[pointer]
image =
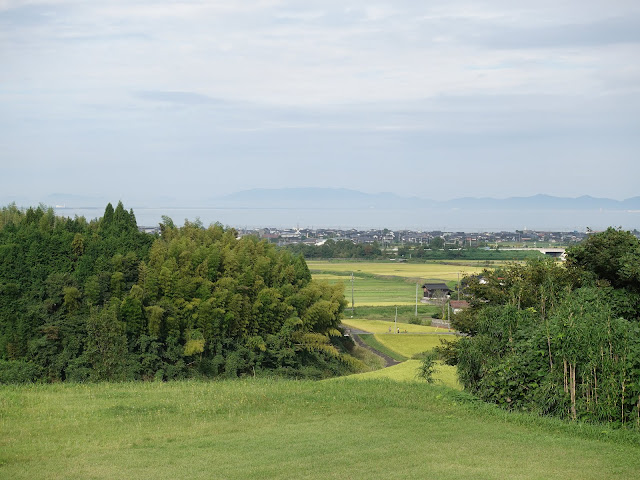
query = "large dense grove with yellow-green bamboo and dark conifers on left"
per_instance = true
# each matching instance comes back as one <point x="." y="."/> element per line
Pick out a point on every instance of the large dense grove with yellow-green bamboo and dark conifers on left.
<point x="99" y="300"/>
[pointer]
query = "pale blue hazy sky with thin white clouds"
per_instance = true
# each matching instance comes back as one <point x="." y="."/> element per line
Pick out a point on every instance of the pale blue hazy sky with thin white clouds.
<point x="135" y="100"/>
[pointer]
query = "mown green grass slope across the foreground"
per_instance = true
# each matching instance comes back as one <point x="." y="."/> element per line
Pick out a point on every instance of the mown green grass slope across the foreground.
<point x="276" y="429"/>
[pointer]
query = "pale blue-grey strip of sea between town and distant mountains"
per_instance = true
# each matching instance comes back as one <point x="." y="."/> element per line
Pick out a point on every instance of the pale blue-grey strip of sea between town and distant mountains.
<point x="416" y="219"/>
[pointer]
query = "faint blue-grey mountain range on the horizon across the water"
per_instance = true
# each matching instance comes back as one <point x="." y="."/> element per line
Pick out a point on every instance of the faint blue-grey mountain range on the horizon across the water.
<point x="344" y="198"/>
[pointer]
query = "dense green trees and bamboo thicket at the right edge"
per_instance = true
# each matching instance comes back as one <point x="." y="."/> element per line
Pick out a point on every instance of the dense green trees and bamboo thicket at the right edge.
<point x="561" y="340"/>
